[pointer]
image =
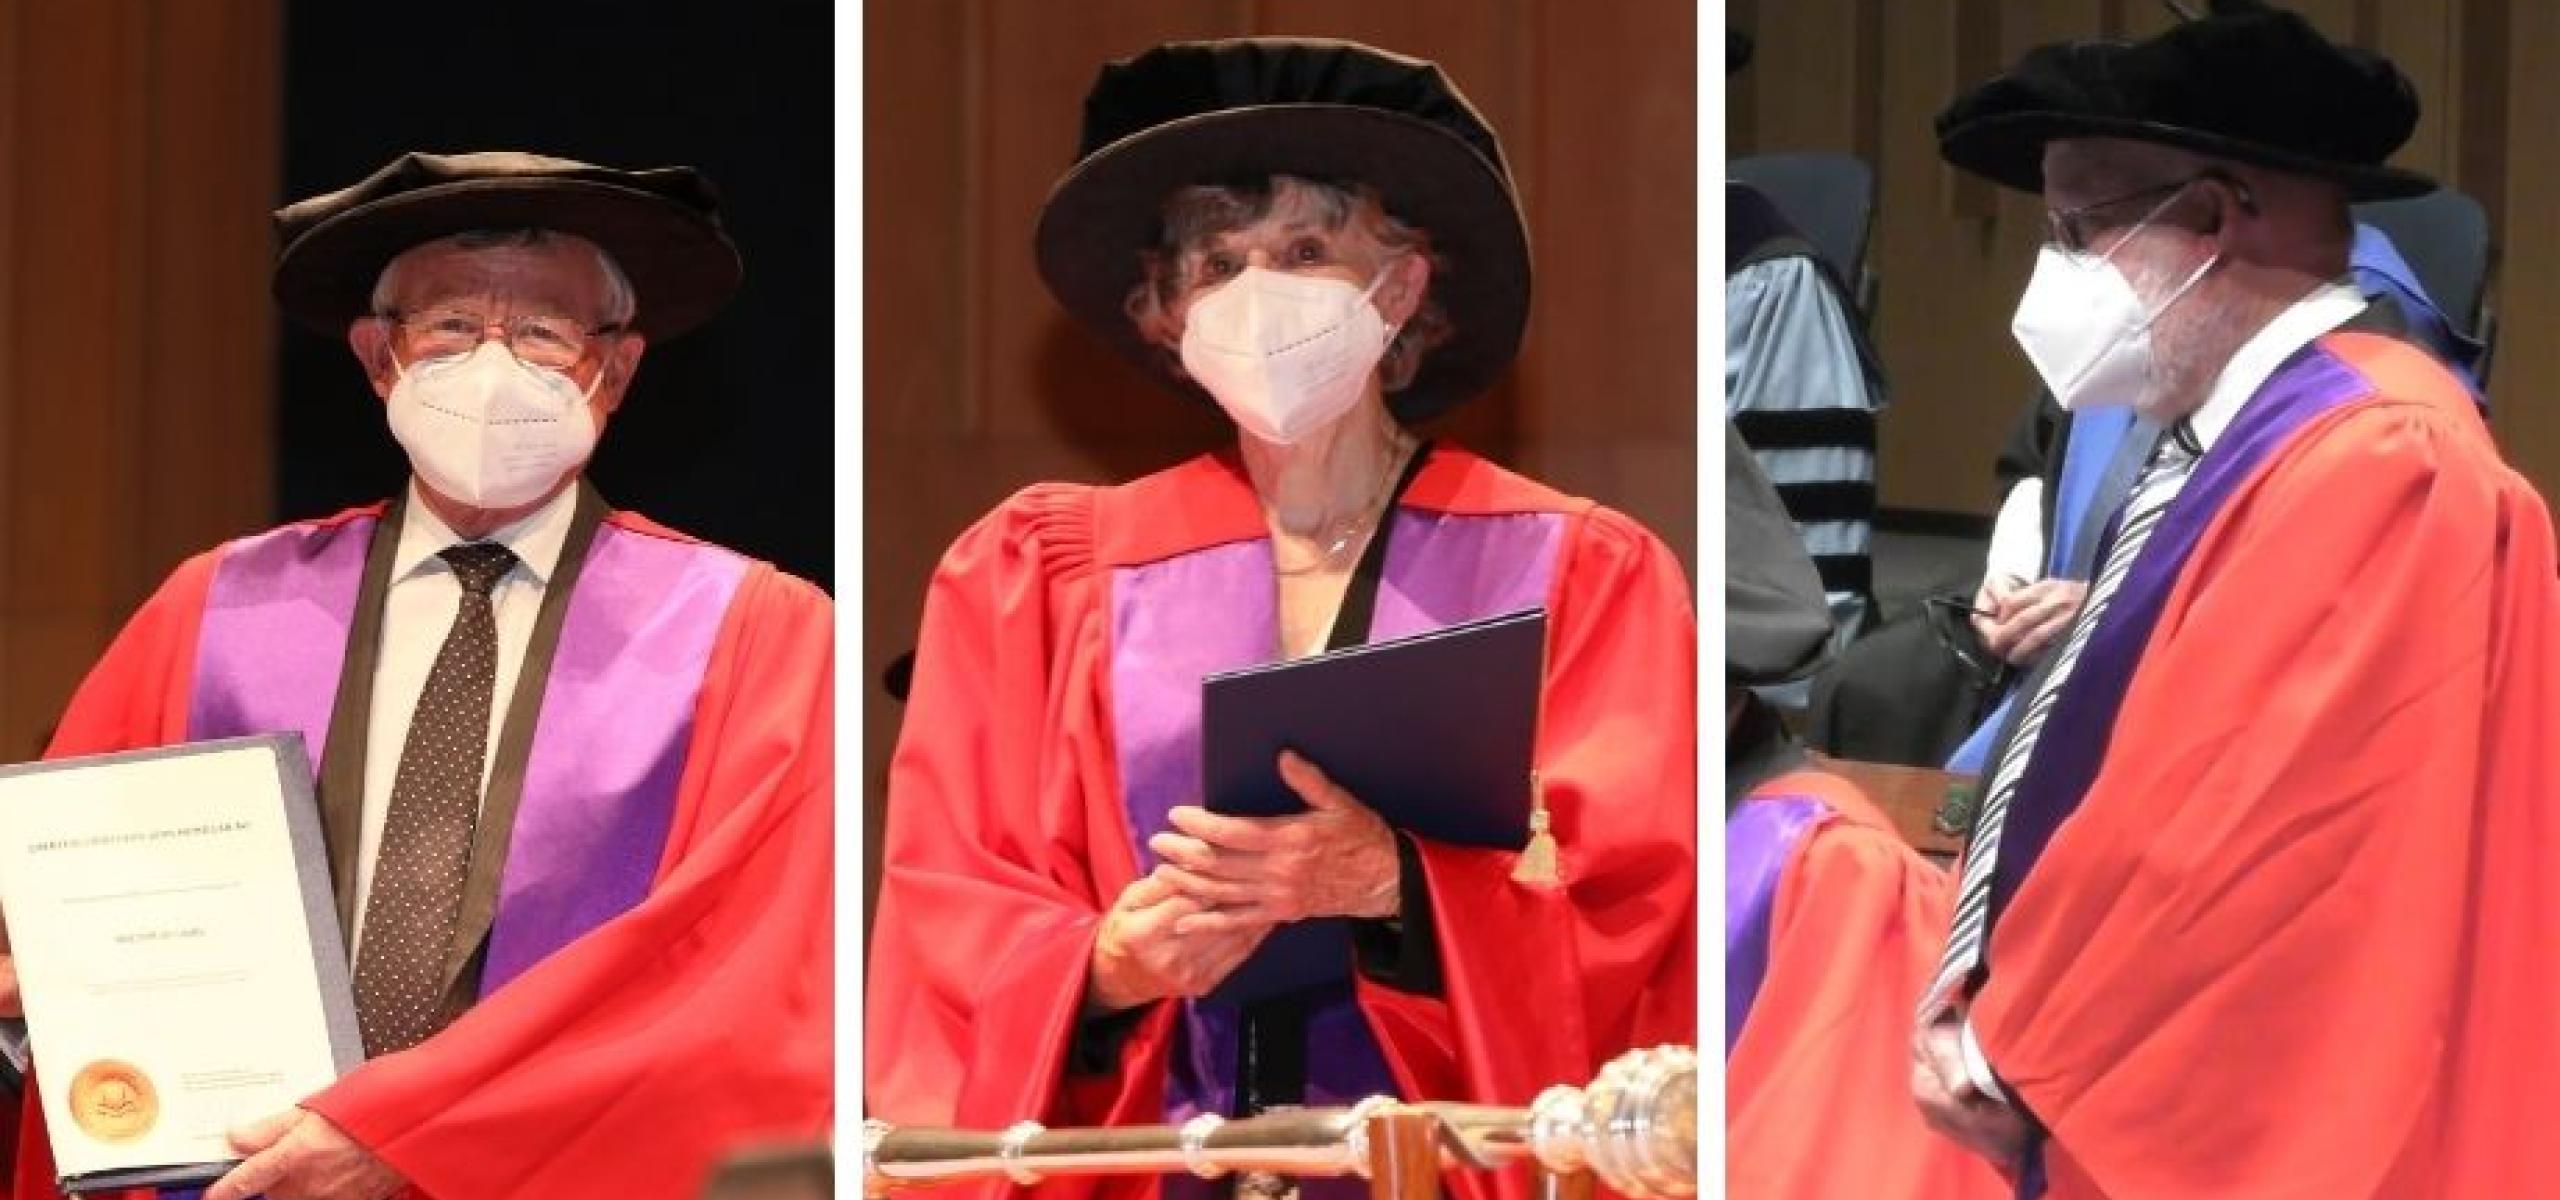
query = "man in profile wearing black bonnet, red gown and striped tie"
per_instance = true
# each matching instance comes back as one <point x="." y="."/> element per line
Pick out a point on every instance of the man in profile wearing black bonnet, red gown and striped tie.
<point x="2262" y="897"/>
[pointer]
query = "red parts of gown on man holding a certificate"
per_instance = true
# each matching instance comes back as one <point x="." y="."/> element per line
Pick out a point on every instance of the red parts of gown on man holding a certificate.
<point x="631" y="1063"/>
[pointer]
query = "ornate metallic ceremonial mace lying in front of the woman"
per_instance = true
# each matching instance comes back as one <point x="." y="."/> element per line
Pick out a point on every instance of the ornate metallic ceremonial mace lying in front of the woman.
<point x="1635" y="1127"/>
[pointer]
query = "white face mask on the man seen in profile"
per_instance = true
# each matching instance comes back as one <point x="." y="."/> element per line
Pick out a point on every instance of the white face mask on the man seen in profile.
<point x="2088" y="334"/>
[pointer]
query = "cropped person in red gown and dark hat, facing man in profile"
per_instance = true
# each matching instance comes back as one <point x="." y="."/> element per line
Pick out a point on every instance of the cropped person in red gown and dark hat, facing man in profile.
<point x="1832" y="920"/>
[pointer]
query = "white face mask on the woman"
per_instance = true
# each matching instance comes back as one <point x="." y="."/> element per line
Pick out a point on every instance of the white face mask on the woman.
<point x="1284" y="354"/>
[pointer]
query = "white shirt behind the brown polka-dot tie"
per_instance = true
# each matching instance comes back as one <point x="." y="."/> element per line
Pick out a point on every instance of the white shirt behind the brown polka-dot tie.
<point x="416" y="615"/>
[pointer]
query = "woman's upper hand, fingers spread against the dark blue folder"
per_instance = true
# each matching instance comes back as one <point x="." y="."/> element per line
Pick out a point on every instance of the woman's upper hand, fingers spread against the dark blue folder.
<point x="1253" y="871"/>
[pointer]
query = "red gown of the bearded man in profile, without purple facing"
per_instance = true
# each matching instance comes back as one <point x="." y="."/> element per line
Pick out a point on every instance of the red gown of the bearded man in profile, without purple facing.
<point x="2303" y="935"/>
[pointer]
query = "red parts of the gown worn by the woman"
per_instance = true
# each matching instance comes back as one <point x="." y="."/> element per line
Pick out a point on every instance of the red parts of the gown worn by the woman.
<point x="1007" y="833"/>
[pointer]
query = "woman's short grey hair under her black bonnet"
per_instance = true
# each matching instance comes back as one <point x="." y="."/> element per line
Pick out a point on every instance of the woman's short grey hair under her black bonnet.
<point x="1199" y="214"/>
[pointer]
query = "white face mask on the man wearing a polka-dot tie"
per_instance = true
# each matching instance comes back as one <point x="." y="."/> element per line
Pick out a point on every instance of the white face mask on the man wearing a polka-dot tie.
<point x="490" y="431"/>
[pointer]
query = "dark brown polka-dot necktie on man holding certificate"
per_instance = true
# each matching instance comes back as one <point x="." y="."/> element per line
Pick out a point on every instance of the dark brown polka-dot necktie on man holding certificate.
<point x="426" y="838"/>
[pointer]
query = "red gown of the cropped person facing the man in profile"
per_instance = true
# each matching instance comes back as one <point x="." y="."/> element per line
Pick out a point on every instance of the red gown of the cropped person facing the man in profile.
<point x="1819" y="1099"/>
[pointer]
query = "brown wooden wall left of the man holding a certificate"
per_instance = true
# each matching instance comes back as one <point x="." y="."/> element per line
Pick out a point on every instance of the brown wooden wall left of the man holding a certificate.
<point x="137" y="170"/>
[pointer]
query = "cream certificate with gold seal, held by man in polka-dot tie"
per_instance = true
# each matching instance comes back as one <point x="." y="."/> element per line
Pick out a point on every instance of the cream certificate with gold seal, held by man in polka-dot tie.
<point x="178" y="948"/>
